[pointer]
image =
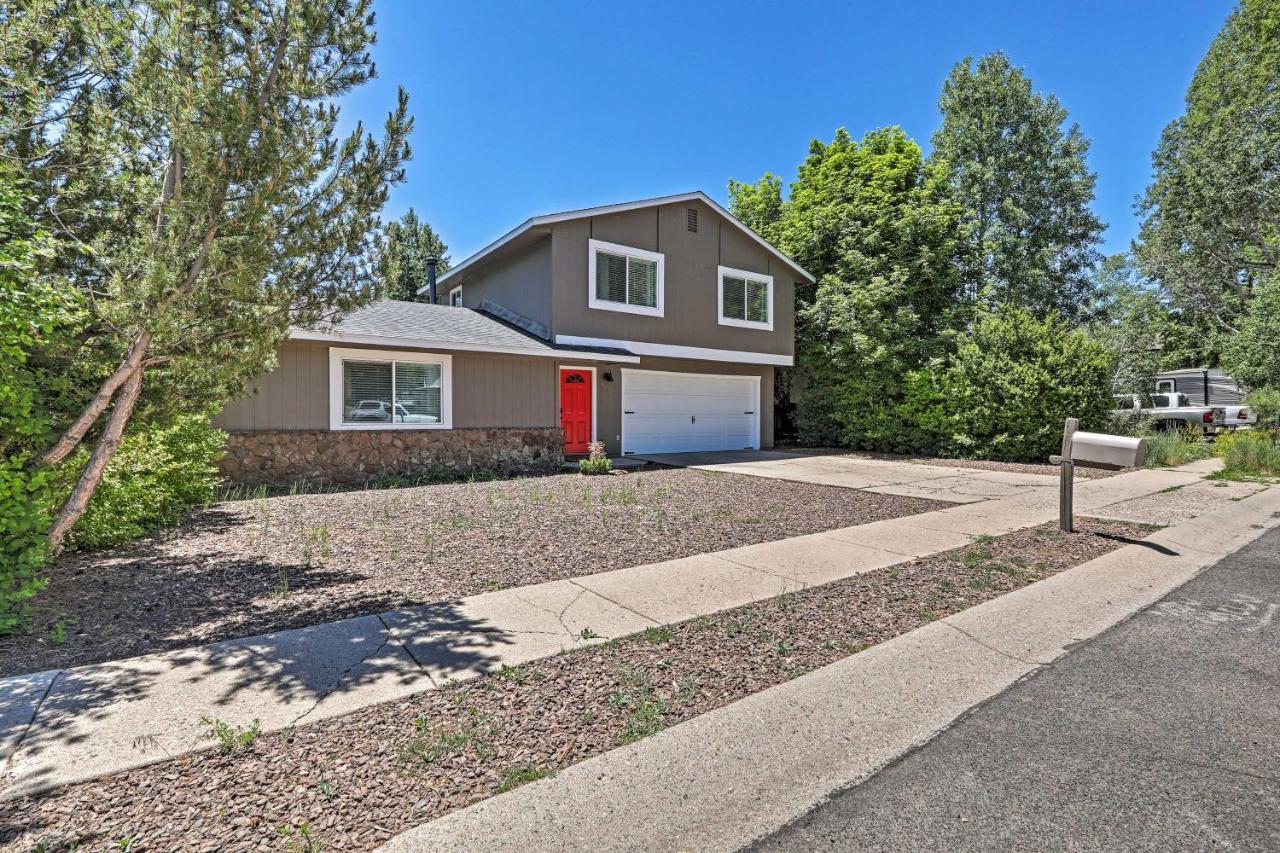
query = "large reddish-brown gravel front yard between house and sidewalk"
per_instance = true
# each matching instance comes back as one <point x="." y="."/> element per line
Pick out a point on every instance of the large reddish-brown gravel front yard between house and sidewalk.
<point x="253" y="567"/>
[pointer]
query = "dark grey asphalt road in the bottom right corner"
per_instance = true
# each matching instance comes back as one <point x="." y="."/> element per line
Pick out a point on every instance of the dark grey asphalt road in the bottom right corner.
<point x="1160" y="735"/>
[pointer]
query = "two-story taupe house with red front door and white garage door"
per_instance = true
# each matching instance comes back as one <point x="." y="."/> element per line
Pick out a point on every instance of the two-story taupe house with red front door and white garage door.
<point x="653" y="326"/>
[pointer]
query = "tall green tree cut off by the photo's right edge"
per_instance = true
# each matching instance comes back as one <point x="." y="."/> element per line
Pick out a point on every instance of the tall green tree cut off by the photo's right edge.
<point x="1213" y="212"/>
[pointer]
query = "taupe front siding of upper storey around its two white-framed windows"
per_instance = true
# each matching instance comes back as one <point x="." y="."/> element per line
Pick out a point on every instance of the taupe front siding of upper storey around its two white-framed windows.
<point x="691" y="316"/>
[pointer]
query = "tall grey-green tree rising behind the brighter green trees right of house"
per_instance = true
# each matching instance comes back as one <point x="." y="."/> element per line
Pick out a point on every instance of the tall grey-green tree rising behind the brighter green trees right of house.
<point x="1021" y="175"/>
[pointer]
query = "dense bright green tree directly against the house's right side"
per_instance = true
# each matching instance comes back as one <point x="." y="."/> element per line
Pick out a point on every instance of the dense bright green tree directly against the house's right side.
<point x="874" y="222"/>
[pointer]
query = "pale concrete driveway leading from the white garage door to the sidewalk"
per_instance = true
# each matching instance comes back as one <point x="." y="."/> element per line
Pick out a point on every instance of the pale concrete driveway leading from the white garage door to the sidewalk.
<point x="888" y="477"/>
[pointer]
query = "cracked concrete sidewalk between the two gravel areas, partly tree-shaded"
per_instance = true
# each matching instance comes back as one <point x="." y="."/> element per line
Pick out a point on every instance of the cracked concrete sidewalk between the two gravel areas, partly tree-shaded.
<point x="62" y="727"/>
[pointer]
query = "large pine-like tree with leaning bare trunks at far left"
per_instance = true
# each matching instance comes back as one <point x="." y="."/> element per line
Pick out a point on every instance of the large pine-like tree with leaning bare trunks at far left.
<point x="186" y="153"/>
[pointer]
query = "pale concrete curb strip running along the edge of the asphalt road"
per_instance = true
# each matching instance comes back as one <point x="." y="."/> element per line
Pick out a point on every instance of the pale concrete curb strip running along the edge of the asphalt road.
<point x="730" y="777"/>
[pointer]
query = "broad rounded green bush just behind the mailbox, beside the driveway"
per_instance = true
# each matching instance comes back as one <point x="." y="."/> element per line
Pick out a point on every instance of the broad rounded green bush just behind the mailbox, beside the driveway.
<point x="1008" y="390"/>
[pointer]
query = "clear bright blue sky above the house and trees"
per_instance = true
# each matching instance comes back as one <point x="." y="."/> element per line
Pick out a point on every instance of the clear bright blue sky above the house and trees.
<point x="528" y="108"/>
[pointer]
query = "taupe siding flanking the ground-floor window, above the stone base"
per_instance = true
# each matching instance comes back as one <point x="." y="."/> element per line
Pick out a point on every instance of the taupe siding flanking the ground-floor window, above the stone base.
<point x="488" y="391"/>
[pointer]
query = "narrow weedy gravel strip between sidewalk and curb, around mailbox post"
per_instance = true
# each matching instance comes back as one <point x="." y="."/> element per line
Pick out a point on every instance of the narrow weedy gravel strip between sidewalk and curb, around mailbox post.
<point x="353" y="782"/>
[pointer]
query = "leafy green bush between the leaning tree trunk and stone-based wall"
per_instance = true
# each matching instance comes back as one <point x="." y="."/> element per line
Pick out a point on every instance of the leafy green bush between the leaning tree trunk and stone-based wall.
<point x="159" y="472"/>
